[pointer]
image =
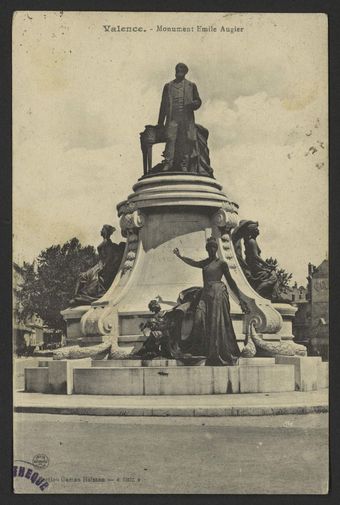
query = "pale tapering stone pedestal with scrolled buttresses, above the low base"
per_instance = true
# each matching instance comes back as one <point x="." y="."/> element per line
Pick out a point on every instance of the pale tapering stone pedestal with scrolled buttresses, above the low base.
<point x="164" y="212"/>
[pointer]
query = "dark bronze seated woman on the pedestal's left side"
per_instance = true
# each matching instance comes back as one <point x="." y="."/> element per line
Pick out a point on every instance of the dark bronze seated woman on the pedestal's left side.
<point x="94" y="283"/>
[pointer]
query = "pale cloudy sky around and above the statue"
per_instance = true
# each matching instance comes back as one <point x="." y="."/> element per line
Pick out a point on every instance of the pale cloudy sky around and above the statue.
<point x="82" y="95"/>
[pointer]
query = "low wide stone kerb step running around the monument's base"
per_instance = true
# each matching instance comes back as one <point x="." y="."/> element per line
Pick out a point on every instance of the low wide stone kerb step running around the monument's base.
<point x="249" y="404"/>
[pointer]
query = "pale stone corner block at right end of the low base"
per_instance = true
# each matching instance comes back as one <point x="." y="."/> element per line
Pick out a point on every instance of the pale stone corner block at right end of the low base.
<point x="305" y="370"/>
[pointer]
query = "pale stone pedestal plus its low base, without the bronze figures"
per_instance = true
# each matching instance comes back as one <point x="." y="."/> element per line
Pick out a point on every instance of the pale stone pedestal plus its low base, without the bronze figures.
<point x="164" y="212"/>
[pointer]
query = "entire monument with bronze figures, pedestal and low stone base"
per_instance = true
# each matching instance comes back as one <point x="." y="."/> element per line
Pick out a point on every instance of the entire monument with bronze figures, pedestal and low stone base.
<point x="121" y="343"/>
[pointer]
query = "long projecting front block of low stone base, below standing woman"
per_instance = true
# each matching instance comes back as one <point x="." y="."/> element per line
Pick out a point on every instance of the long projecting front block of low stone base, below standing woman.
<point x="184" y="380"/>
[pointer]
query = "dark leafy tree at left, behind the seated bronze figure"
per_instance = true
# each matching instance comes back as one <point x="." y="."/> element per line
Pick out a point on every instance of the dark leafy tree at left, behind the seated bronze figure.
<point x="45" y="286"/>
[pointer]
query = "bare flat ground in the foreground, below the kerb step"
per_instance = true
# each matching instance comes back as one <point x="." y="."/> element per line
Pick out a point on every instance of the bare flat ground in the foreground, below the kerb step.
<point x="271" y="454"/>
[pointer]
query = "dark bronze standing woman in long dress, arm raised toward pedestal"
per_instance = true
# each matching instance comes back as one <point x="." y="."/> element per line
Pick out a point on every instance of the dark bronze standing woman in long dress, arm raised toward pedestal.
<point x="213" y="334"/>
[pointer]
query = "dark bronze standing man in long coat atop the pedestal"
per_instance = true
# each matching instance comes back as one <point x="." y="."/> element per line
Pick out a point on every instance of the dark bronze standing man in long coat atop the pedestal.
<point x="179" y="101"/>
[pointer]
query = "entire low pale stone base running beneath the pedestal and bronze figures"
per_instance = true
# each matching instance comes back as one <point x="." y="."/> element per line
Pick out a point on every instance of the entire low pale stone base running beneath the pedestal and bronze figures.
<point x="166" y="377"/>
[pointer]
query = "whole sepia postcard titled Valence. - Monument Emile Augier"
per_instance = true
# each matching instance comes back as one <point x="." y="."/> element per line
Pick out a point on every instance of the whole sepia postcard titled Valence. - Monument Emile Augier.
<point x="170" y="189"/>
